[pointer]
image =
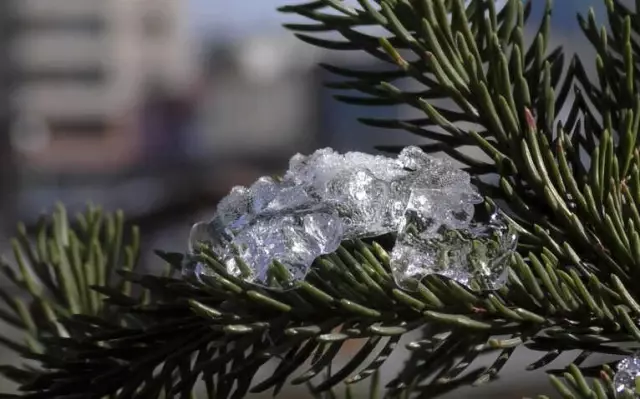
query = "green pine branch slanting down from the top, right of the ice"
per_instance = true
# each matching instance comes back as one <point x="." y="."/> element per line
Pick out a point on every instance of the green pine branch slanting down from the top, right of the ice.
<point x="496" y="84"/>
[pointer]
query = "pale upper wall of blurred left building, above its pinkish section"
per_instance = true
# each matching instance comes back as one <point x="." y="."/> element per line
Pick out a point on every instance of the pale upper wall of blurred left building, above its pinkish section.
<point x="129" y="56"/>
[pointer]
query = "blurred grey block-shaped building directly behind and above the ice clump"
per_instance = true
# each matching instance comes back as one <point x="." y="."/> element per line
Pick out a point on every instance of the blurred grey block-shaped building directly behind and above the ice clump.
<point x="258" y="99"/>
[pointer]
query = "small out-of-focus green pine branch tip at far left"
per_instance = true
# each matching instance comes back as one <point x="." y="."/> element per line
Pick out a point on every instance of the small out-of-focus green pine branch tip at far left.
<point x="54" y="276"/>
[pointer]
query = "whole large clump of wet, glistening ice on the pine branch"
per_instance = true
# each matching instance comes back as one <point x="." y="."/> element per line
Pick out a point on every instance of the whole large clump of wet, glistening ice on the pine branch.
<point x="327" y="197"/>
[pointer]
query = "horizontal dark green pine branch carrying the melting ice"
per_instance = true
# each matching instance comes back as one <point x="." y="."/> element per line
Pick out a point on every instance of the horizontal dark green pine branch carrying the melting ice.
<point x="223" y="330"/>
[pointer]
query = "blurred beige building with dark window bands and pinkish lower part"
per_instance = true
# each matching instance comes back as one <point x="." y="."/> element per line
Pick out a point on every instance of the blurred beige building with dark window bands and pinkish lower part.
<point x="81" y="71"/>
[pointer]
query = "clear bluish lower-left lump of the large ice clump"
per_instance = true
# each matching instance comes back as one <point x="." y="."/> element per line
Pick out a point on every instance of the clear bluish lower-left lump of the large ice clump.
<point x="295" y="238"/>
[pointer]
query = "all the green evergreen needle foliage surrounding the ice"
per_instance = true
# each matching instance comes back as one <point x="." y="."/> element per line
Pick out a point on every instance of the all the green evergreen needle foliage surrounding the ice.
<point x="95" y="328"/>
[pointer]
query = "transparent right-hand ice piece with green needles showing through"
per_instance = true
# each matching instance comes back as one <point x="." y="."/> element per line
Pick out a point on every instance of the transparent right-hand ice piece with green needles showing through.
<point x="477" y="252"/>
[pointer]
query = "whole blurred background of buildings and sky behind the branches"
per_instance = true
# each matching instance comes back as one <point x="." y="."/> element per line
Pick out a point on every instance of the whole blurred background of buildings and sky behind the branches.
<point x="158" y="107"/>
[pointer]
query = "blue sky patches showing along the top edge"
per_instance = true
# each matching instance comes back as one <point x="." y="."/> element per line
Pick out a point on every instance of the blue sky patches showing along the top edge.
<point x="237" y="17"/>
